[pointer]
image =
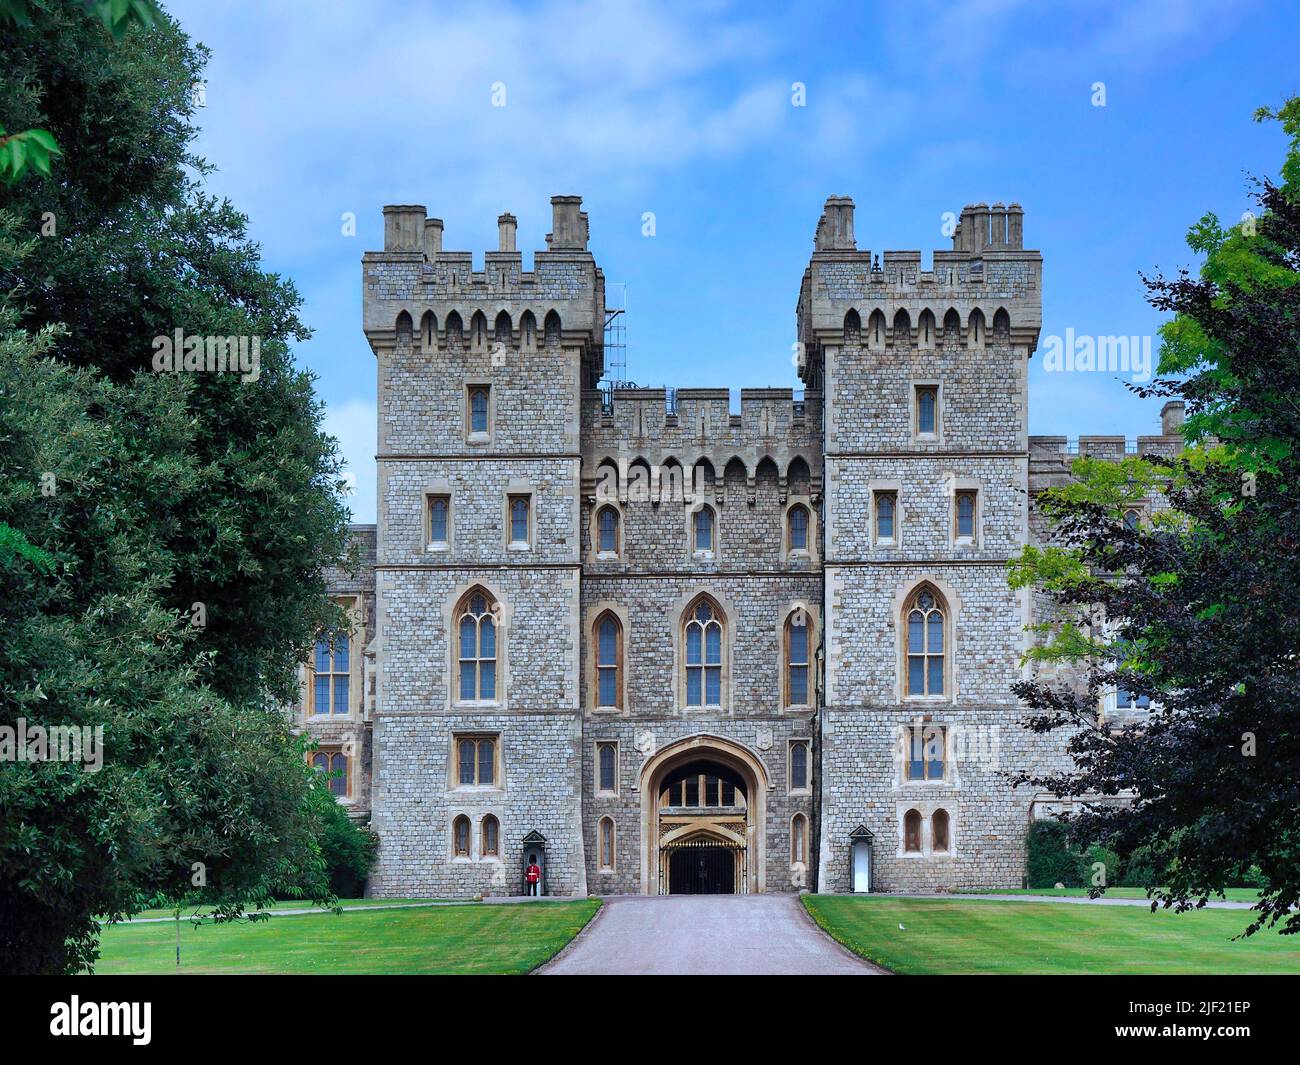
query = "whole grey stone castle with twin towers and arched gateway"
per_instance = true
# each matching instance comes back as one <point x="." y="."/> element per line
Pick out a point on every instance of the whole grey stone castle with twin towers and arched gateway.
<point x="664" y="648"/>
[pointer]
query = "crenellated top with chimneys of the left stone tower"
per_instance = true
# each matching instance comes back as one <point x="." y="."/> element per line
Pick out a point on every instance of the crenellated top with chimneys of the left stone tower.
<point x="418" y="289"/>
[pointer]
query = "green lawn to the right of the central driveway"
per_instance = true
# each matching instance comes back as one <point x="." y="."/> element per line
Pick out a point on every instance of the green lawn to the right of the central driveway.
<point x="952" y="936"/>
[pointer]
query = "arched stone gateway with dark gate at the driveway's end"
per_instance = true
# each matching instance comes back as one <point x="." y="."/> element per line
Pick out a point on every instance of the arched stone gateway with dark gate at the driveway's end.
<point x="704" y="806"/>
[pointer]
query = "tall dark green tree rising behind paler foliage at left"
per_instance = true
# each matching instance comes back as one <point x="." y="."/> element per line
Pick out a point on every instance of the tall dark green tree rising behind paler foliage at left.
<point x="138" y="252"/>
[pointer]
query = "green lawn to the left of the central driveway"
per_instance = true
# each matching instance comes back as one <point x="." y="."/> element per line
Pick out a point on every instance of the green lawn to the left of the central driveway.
<point x="467" y="940"/>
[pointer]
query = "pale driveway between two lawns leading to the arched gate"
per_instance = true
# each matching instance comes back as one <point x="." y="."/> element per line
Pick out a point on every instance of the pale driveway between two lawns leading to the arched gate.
<point x="705" y="934"/>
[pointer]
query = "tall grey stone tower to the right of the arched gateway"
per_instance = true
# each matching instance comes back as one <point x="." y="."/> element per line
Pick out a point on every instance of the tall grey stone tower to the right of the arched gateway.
<point x="925" y="376"/>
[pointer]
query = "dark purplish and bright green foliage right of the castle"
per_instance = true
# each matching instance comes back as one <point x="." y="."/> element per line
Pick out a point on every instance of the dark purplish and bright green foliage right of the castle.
<point x="1197" y="611"/>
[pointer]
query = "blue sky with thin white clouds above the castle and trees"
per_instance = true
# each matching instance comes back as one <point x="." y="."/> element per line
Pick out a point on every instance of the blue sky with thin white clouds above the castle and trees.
<point x="315" y="110"/>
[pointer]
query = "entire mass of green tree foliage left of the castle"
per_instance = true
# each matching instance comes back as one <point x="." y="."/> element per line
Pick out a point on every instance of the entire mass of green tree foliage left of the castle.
<point x="163" y="536"/>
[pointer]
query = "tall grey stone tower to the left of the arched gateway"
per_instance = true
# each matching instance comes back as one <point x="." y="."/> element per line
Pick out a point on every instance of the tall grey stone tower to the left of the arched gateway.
<point x="478" y="722"/>
